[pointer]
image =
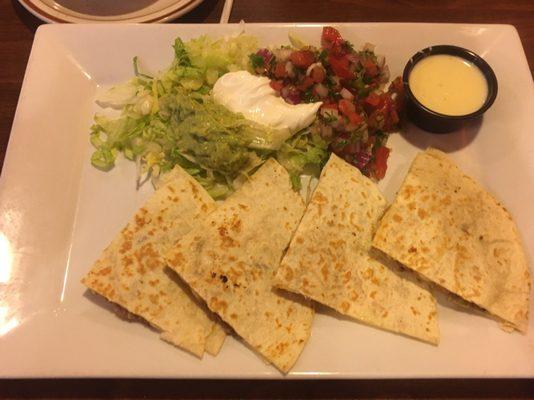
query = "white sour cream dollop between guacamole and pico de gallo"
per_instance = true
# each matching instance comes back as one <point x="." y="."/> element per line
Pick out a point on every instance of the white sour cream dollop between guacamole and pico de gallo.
<point x="250" y="95"/>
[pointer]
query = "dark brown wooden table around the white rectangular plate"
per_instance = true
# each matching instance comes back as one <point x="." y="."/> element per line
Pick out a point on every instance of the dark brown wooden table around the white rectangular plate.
<point x="17" y="28"/>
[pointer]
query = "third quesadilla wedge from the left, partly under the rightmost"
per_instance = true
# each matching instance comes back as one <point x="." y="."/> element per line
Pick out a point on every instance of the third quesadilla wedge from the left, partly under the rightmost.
<point x="330" y="258"/>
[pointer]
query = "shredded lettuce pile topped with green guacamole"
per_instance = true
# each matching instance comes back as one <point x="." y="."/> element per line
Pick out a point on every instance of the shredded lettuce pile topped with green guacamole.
<point x="171" y="119"/>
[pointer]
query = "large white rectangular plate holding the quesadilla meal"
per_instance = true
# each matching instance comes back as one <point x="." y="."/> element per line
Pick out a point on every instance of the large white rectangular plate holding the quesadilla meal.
<point x="57" y="213"/>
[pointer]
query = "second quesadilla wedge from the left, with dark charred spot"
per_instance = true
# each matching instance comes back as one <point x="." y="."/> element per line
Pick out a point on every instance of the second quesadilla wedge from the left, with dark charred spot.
<point x="230" y="261"/>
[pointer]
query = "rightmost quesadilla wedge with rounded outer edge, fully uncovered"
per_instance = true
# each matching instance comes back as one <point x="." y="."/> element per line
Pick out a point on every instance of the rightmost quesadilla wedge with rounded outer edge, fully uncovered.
<point x="450" y="230"/>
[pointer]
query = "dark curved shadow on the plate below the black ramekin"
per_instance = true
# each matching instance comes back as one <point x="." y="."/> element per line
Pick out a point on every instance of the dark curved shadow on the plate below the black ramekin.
<point x="447" y="142"/>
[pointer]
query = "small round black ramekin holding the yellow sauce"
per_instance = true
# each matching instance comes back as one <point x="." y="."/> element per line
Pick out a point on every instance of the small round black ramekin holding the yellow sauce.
<point x="440" y="123"/>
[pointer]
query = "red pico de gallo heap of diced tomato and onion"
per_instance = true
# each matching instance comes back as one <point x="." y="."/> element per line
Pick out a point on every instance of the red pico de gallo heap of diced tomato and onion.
<point x="357" y="113"/>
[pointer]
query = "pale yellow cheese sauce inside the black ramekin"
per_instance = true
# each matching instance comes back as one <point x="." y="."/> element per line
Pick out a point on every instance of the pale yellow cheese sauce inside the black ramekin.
<point x="448" y="84"/>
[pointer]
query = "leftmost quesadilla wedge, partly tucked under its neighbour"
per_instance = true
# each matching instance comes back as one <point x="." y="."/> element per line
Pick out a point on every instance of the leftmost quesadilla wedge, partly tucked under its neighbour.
<point x="131" y="271"/>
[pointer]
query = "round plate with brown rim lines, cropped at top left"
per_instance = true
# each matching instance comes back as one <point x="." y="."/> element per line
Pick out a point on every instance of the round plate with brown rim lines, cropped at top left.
<point x="87" y="11"/>
